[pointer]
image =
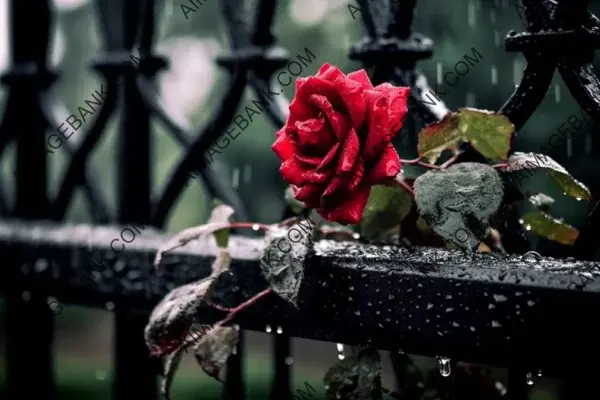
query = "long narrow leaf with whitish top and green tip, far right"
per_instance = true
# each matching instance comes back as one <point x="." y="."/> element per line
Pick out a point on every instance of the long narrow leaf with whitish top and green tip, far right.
<point x="532" y="161"/>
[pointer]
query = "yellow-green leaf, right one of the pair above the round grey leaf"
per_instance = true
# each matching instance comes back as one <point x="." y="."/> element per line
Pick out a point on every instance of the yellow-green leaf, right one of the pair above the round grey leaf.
<point x="489" y="133"/>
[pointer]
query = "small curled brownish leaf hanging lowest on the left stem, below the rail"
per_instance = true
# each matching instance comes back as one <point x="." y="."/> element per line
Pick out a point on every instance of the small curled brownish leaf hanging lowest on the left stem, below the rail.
<point x="215" y="348"/>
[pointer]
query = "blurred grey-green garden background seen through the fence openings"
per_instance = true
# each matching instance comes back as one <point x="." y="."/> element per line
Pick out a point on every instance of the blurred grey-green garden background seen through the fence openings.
<point x="190" y="88"/>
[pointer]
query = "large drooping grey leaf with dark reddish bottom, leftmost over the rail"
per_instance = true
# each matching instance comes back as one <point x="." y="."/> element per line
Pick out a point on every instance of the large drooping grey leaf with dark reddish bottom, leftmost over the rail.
<point x="172" y="317"/>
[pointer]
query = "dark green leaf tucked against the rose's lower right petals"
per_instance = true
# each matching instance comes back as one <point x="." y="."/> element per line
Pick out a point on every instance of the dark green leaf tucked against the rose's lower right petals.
<point x="386" y="208"/>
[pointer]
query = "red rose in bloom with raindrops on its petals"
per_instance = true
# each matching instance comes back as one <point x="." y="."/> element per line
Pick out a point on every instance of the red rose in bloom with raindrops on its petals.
<point x="335" y="144"/>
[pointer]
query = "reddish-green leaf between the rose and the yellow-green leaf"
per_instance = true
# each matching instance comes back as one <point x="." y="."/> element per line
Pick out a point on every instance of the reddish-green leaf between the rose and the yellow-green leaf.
<point x="439" y="136"/>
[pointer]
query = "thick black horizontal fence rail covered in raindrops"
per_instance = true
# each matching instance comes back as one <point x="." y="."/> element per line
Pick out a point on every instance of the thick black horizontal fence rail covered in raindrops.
<point x="524" y="311"/>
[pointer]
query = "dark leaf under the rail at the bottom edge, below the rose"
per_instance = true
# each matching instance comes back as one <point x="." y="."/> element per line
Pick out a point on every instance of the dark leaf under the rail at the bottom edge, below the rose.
<point x="355" y="378"/>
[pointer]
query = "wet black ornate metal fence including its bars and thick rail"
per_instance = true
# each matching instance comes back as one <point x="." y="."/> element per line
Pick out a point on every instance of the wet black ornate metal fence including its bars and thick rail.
<point x="548" y="306"/>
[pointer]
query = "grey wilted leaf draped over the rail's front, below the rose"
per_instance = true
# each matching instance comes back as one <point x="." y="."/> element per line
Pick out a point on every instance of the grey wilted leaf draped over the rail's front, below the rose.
<point x="282" y="263"/>
